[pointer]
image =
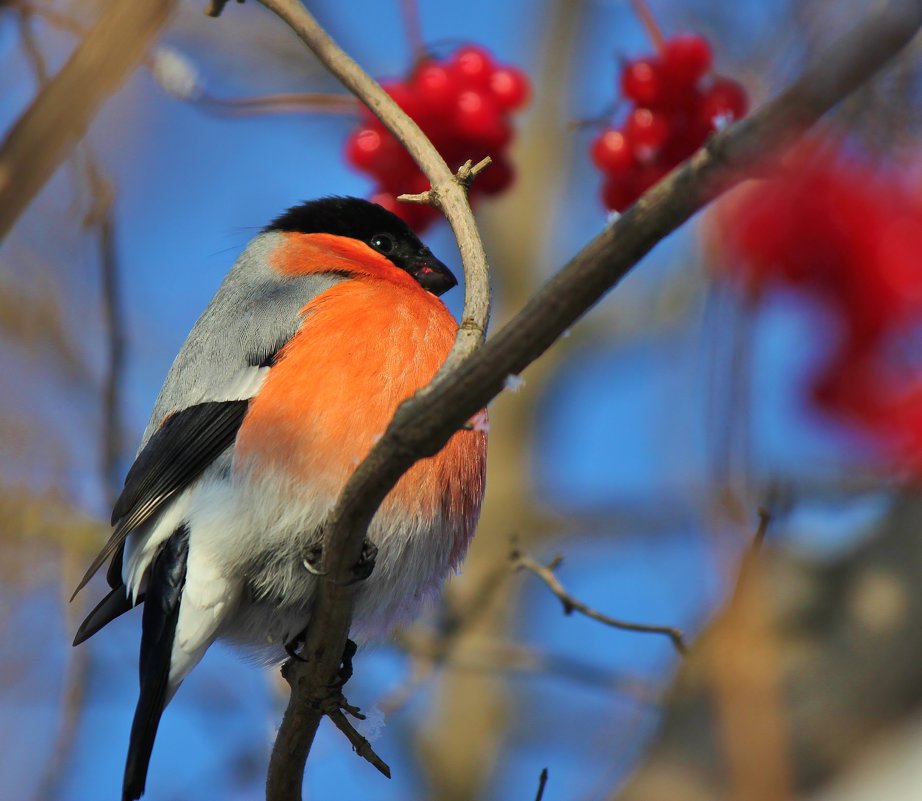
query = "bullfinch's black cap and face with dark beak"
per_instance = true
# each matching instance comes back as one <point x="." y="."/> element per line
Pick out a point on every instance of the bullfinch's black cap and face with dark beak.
<point x="374" y="225"/>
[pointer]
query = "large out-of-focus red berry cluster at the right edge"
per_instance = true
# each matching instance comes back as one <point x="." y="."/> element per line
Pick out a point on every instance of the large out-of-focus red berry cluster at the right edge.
<point x="851" y="236"/>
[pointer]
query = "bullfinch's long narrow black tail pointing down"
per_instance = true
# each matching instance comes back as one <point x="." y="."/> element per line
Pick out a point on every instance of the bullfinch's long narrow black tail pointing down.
<point x="165" y="583"/>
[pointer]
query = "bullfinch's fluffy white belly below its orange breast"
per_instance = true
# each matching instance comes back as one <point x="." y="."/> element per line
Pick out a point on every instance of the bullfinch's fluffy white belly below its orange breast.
<point x="249" y="542"/>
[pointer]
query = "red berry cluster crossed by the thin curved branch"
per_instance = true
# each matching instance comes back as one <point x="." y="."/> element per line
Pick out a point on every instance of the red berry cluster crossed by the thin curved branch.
<point x="463" y="104"/>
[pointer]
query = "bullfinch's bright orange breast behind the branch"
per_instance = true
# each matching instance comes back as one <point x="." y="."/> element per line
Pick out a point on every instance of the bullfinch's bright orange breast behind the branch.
<point x="365" y="346"/>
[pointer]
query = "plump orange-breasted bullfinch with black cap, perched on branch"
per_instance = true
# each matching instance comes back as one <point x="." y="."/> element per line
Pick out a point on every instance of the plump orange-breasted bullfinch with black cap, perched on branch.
<point x="327" y="321"/>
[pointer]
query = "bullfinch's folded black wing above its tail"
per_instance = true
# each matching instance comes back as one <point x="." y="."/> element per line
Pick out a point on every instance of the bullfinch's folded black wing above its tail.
<point x="179" y="451"/>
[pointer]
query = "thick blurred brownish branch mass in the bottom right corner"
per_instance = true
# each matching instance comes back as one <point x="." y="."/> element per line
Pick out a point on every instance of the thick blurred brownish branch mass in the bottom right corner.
<point x="845" y="659"/>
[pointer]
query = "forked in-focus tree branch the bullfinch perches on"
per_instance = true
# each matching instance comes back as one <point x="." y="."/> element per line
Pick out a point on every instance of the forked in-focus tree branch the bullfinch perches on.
<point x="423" y="424"/>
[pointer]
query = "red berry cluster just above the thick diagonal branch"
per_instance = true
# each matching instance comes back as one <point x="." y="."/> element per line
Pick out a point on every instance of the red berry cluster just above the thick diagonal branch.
<point x="675" y="106"/>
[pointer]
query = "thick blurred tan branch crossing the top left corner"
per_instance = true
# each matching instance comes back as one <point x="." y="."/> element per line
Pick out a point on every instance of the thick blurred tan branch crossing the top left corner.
<point x="61" y="113"/>
